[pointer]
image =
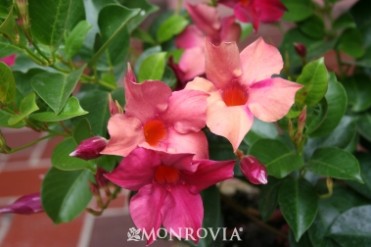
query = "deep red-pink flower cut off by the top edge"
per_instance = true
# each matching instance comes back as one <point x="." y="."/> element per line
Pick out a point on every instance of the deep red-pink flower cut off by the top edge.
<point x="256" y="11"/>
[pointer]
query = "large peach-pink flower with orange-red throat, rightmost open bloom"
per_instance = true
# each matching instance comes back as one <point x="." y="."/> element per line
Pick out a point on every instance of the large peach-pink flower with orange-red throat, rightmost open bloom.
<point x="241" y="86"/>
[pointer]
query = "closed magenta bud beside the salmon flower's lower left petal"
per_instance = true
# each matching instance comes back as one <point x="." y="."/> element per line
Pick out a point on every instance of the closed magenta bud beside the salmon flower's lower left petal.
<point x="90" y="148"/>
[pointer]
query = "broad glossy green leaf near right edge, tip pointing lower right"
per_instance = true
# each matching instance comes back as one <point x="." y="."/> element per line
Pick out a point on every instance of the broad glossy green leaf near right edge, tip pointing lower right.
<point x="336" y="163"/>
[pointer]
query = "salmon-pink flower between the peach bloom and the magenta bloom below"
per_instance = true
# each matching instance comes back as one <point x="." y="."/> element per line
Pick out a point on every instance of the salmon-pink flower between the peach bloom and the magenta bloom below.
<point x="157" y="118"/>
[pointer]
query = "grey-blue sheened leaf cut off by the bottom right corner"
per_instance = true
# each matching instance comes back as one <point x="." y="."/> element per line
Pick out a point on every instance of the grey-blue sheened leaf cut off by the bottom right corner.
<point x="353" y="227"/>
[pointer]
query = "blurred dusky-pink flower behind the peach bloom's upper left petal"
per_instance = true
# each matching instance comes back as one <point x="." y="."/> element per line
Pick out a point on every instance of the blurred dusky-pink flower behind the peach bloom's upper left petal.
<point x="208" y="23"/>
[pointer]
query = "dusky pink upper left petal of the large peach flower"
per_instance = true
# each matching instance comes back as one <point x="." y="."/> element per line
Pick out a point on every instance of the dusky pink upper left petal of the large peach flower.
<point x="222" y="63"/>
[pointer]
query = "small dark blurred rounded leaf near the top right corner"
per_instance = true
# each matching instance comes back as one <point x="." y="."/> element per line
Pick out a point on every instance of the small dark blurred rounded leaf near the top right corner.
<point x="351" y="42"/>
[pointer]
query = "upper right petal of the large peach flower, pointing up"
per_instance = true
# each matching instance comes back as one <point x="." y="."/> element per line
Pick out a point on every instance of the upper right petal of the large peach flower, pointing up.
<point x="260" y="61"/>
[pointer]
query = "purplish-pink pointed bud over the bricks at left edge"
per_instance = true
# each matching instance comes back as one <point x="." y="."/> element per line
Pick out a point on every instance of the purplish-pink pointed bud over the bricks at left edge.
<point x="27" y="204"/>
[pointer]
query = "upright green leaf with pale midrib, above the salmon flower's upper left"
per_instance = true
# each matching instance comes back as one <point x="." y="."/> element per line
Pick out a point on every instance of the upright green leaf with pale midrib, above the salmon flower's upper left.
<point x="112" y="22"/>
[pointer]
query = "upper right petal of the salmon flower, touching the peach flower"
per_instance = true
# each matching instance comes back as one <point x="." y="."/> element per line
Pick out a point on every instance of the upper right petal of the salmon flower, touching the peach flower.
<point x="187" y="111"/>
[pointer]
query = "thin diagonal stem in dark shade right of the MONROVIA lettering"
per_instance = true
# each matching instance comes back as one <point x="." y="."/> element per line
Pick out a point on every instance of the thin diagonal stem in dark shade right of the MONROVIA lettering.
<point x="252" y="216"/>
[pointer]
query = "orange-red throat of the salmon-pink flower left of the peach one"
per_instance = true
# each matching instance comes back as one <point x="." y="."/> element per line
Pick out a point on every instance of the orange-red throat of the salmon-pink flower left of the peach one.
<point x="154" y="131"/>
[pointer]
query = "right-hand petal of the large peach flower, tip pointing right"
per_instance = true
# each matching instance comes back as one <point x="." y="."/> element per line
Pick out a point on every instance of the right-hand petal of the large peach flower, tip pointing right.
<point x="271" y="99"/>
